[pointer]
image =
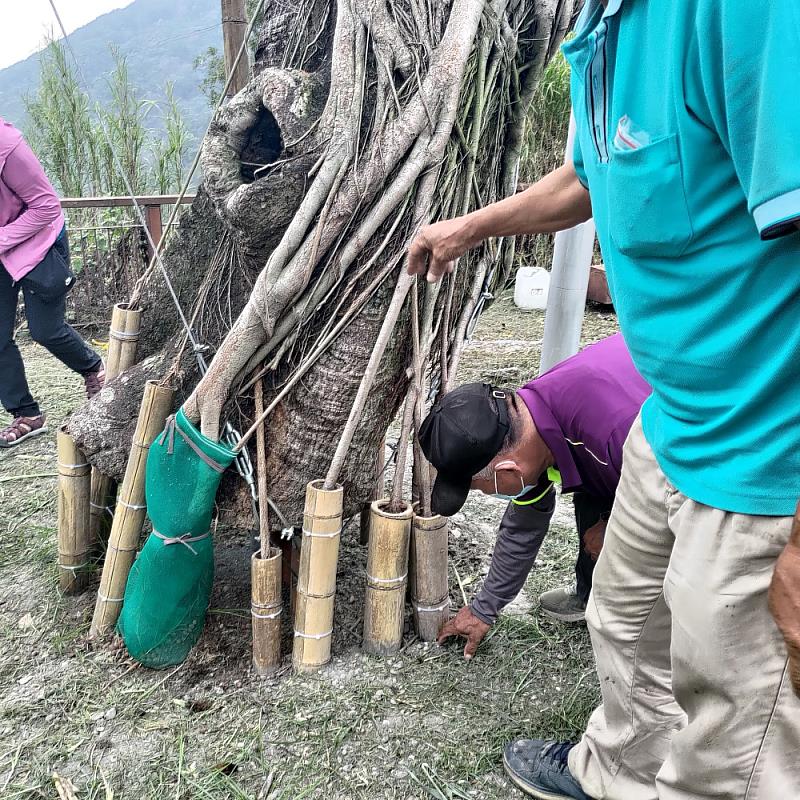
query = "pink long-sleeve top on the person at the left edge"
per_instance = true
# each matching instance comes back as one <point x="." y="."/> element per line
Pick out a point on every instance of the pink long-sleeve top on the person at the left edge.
<point x="30" y="212"/>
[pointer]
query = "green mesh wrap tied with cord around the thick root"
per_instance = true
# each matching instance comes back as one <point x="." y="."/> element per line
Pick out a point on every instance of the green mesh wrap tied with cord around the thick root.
<point x="169" y="585"/>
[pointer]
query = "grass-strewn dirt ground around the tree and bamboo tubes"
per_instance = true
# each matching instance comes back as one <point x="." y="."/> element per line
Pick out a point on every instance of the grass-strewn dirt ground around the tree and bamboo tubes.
<point x="422" y="724"/>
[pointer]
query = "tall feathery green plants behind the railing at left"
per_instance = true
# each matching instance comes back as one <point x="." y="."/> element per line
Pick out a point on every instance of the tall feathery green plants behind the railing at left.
<point x="69" y="140"/>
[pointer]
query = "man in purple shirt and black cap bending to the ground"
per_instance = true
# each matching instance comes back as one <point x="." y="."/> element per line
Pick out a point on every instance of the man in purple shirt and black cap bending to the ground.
<point x="567" y="426"/>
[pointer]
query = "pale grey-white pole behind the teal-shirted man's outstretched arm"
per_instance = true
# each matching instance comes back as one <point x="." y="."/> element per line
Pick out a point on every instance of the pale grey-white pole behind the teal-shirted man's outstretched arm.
<point x="569" y="282"/>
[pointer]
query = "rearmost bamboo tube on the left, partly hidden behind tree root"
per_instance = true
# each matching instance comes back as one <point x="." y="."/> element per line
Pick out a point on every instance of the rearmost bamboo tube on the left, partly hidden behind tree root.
<point x="123" y="339"/>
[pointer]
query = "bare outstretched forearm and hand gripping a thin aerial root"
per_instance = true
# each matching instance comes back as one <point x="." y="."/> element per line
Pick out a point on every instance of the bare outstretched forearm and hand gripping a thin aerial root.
<point x="556" y="202"/>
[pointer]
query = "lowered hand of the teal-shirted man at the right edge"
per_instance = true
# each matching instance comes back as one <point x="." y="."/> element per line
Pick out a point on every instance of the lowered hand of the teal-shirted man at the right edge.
<point x="784" y="599"/>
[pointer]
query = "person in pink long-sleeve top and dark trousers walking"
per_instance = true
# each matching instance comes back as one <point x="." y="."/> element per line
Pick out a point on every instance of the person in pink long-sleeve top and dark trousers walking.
<point x="35" y="258"/>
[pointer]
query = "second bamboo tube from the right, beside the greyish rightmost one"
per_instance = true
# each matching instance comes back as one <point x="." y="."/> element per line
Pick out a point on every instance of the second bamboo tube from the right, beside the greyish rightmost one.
<point x="387" y="575"/>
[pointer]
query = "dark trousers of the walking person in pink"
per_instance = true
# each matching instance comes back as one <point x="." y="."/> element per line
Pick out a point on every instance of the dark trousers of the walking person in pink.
<point x="47" y="326"/>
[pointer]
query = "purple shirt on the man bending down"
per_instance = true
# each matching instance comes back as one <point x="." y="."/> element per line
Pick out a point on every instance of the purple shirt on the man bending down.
<point x="583" y="408"/>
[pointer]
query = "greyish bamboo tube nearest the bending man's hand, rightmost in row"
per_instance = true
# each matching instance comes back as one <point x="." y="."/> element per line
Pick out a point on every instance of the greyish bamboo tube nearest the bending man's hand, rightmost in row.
<point x="430" y="592"/>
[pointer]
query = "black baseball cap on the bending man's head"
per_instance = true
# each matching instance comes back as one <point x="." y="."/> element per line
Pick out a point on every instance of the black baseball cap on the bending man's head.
<point x="464" y="431"/>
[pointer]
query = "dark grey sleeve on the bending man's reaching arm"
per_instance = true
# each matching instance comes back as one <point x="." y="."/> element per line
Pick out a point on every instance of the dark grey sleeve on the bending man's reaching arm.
<point x="522" y="532"/>
